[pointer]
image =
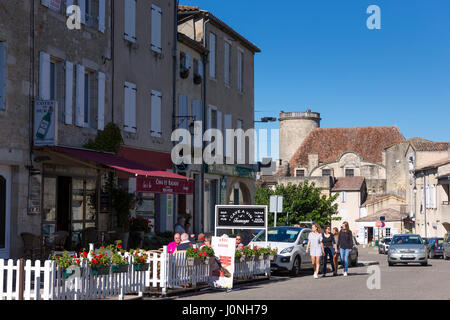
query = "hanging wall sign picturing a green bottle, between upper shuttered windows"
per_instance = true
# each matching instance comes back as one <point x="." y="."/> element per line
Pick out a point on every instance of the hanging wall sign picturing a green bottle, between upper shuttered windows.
<point x="45" y="131"/>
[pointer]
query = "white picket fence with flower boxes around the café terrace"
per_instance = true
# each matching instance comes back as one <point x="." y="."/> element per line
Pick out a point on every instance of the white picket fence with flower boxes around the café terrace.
<point x="44" y="281"/>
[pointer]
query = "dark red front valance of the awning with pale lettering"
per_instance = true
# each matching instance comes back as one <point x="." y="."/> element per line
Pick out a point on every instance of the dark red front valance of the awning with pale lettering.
<point x="164" y="185"/>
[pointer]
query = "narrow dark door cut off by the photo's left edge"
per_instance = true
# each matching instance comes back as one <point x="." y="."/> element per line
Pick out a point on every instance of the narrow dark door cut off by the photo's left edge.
<point x="5" y="207"/>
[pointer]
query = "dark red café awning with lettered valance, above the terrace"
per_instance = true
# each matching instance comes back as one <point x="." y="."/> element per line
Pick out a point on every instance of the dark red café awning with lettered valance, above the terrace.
<point x="148" y="180"/>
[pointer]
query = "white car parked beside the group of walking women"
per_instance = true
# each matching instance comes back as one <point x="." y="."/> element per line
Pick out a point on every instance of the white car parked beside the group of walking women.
<point x="291" y="244"/>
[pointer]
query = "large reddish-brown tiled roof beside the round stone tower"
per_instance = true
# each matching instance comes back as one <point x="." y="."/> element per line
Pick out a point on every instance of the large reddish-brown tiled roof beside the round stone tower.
<point x="331" y="143"/>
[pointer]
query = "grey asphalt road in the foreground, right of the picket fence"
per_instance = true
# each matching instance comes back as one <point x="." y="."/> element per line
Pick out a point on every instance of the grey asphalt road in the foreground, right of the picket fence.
<point x="399" y="282"/>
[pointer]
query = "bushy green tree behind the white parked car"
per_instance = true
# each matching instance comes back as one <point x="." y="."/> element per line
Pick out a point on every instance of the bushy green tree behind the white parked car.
<point x="303" y="202"/>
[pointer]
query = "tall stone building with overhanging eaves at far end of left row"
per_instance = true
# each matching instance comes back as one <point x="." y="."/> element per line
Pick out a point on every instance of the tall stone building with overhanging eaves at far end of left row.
<point x="229" y="95"/>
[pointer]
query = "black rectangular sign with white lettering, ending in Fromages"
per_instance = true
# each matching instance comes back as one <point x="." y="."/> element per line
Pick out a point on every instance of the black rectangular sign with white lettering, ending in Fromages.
<point x="241" y="217"/>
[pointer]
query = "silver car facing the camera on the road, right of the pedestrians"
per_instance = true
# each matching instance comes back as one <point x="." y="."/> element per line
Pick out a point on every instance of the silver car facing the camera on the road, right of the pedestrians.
<point x="407" y="248"/>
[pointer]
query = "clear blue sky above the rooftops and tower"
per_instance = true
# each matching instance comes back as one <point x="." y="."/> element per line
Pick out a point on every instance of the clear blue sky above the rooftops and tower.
<point x="320" y="55"/>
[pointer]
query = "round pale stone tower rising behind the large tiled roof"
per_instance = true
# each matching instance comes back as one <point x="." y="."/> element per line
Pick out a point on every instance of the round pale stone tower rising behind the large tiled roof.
<point x="294" y="128"/>
